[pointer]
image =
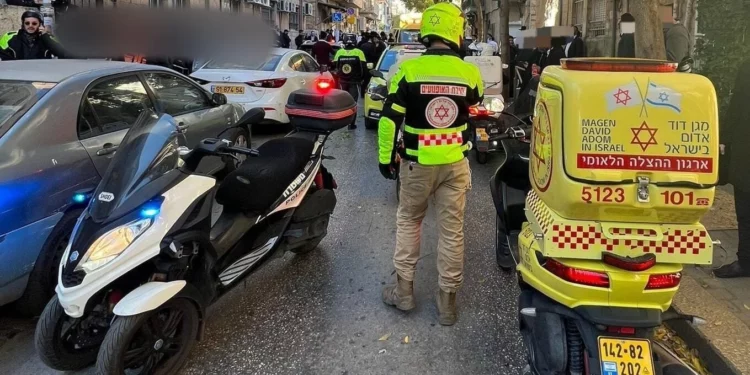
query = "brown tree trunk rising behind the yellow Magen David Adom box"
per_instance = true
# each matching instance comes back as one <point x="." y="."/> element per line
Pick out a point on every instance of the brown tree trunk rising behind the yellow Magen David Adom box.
<point x="649" y="34"/>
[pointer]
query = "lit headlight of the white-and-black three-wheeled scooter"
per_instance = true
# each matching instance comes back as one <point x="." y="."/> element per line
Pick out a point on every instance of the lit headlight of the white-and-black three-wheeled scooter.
<point x="111" y="244"/>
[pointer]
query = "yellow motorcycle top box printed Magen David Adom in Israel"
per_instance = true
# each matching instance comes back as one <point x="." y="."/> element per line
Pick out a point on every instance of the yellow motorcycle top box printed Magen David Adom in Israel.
<point x="630" y="172"/>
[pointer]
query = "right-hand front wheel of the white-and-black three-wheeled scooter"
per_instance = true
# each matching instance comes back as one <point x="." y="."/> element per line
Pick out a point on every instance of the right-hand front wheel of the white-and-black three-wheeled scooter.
<point x="158" y="341"/>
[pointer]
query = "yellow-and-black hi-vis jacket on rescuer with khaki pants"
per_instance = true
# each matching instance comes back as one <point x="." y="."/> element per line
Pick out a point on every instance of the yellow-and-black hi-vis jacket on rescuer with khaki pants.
<point x="431" y="94"/>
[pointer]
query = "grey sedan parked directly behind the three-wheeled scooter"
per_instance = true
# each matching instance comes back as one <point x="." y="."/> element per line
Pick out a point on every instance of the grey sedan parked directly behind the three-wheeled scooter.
<point x="60" y="124"/>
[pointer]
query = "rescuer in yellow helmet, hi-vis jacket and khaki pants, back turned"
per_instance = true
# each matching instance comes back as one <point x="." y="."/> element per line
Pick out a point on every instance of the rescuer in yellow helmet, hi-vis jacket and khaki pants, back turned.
<point x="431" y="95"/>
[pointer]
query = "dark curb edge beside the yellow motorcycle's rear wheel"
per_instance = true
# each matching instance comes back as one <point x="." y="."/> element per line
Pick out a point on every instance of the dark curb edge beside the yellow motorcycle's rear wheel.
<point x="695" y="339"/>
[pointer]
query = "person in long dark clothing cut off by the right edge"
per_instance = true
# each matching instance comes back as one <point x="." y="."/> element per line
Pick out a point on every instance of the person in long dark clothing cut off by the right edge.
<point x="734" y="136"/>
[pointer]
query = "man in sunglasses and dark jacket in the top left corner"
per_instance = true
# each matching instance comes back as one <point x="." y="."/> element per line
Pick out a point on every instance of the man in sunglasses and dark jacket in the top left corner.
<point x="32" y="41"/>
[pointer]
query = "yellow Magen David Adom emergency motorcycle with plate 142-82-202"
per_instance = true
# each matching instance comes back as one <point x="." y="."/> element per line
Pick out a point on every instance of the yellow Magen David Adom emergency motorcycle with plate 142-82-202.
<point x="600" y="209"/>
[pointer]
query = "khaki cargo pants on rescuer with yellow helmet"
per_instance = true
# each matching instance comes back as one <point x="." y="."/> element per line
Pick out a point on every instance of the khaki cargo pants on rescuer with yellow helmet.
<point x="448" y="184"/>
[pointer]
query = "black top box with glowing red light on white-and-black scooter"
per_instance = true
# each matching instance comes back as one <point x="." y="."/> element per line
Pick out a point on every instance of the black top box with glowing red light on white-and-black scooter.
<point x="321" y="109"/>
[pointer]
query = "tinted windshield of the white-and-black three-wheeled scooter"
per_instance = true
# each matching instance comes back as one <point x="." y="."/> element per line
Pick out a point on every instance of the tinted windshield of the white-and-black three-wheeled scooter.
<point x="148" y="152"/>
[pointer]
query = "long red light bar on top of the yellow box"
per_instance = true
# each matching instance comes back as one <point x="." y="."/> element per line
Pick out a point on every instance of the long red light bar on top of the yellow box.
<point x="619" y="65"/>
